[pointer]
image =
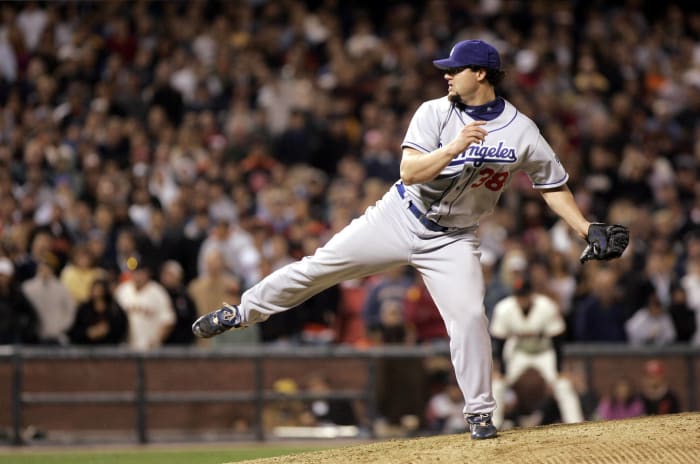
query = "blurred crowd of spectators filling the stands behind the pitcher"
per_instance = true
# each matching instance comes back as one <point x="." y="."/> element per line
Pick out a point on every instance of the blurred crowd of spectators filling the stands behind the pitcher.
<point x="161" y="157"/>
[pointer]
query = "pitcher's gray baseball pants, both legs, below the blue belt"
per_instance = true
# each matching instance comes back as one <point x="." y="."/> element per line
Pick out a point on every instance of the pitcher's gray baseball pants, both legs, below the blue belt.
<point x="389" y="235"/>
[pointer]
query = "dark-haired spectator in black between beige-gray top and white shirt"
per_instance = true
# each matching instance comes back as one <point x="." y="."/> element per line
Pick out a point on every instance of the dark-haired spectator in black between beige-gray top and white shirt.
<point x="99" y="320"/>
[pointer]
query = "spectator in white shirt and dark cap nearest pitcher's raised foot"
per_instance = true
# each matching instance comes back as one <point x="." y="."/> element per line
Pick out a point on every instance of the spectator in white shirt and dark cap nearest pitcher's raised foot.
<point x="147" y="305"/>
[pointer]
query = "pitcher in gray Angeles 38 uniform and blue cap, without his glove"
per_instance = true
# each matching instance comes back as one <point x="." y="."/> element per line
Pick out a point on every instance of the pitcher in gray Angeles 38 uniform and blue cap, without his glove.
<point x="458" y="155"/>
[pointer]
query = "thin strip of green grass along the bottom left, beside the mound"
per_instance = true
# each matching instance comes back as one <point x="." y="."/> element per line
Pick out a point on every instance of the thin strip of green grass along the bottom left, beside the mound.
<point x="201" y="455"/>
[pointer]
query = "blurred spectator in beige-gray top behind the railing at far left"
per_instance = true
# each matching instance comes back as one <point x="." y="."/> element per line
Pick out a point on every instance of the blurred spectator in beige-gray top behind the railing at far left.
<point x="52" y="301"/>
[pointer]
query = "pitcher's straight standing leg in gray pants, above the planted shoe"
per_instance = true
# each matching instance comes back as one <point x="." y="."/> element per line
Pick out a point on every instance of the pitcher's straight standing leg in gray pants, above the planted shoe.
<point x="453" y="276"/>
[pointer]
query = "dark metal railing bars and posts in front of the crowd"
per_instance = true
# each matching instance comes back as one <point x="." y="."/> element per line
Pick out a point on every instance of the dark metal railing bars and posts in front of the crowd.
<point x="14" y="359"/>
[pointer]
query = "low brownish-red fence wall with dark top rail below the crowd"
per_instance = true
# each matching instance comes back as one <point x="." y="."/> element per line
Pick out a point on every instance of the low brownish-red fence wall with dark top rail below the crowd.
<point x="126" y="389"/>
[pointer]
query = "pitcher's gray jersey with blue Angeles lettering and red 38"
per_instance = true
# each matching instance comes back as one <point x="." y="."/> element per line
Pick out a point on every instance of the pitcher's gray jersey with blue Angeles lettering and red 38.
<point x="469" y="187"/>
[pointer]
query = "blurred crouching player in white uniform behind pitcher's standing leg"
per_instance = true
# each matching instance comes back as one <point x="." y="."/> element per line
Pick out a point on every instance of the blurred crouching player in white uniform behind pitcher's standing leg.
<point x="526" y="328"/>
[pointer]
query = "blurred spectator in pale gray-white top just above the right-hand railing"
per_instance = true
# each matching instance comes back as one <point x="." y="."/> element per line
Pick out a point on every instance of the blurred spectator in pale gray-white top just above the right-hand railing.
<point x="651" y="325"/>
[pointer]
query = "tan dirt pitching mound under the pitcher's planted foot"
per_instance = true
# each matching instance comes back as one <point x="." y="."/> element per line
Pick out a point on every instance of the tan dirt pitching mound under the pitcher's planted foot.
<point x="667" y="439"/>
